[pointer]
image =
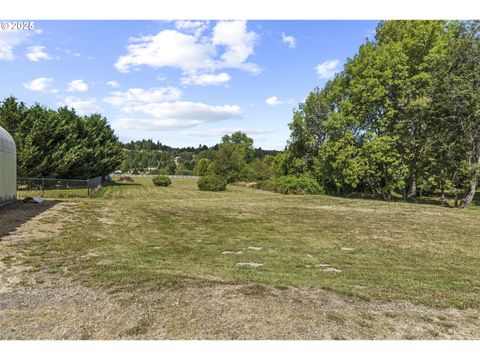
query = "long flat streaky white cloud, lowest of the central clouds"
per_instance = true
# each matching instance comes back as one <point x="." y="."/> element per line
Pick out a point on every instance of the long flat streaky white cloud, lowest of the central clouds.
<point x="178" y="114"/>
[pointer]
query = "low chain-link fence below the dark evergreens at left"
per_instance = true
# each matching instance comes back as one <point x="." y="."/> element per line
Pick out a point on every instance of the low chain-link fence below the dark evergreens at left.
<point x="58" y="188"/>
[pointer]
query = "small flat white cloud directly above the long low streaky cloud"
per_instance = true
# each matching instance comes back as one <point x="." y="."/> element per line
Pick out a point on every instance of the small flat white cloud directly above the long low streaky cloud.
<point x="137" y="96"/>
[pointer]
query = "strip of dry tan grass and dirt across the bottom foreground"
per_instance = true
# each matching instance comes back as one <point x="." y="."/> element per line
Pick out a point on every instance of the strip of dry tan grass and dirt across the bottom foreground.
<point x="64" y="310"/>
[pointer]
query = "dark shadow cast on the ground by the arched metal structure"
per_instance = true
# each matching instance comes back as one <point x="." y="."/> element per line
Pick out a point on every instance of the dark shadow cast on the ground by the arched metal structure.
<point x="12" y="216"/>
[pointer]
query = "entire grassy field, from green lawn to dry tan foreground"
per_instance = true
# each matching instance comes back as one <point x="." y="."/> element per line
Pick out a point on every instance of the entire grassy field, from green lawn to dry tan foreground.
<point x="151" y="260"/>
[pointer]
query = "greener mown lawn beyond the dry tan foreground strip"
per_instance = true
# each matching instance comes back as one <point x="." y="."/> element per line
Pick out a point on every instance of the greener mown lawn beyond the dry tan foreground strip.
<point x="139" y="236"/>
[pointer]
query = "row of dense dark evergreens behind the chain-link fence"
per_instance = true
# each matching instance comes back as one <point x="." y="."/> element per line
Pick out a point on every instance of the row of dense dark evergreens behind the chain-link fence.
<point x="60" y="143"/>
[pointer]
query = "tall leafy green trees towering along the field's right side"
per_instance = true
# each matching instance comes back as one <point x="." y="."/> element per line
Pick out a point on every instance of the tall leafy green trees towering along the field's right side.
<point x="402" y="117"/>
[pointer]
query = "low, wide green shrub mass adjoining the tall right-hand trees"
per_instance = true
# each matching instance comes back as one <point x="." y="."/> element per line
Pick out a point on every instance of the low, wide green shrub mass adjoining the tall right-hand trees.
<point x="291" y="184"/>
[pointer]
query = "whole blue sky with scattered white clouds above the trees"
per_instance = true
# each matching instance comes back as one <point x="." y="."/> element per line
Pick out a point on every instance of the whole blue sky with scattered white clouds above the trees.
<point x="180" y="82"/>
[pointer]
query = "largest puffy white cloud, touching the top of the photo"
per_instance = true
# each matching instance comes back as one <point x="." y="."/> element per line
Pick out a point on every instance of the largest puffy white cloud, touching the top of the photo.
<point x="228" y="46"/>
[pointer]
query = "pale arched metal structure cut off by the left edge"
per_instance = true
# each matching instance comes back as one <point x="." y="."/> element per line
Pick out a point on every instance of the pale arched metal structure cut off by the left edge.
<point x="8" y="168"/>
